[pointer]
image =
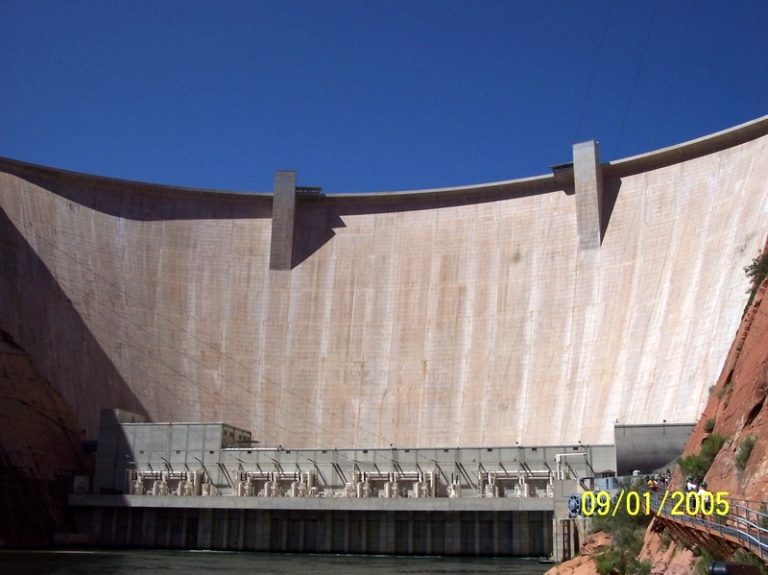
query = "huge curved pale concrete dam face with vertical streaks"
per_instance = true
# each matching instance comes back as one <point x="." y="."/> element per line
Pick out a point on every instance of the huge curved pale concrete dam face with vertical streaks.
<point x="538" y="311"/>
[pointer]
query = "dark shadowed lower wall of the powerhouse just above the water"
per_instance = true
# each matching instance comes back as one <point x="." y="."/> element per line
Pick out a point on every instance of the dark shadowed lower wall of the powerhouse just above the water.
<point x="521" y="533"/>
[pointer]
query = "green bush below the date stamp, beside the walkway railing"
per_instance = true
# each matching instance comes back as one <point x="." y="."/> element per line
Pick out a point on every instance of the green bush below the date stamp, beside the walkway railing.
<point x="627" y="532"/>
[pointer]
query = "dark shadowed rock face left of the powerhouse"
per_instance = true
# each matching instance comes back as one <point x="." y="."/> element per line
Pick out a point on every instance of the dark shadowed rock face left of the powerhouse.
<point x="40" y="452"/>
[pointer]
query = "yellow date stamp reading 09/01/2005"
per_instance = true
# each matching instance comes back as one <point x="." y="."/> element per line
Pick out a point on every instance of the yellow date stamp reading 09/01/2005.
<point x="675" y="503"/>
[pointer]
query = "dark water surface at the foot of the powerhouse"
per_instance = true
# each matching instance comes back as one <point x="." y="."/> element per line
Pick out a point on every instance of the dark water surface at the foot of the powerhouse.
<point x="202" y="562"/>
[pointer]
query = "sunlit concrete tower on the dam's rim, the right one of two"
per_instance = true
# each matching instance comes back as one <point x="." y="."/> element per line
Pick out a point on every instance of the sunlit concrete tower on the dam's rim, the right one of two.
<point x="588" y="182"/>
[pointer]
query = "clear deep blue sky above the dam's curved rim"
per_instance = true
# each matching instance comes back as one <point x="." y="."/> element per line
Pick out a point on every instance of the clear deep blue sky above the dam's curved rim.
<point x="364" y="96"/>
